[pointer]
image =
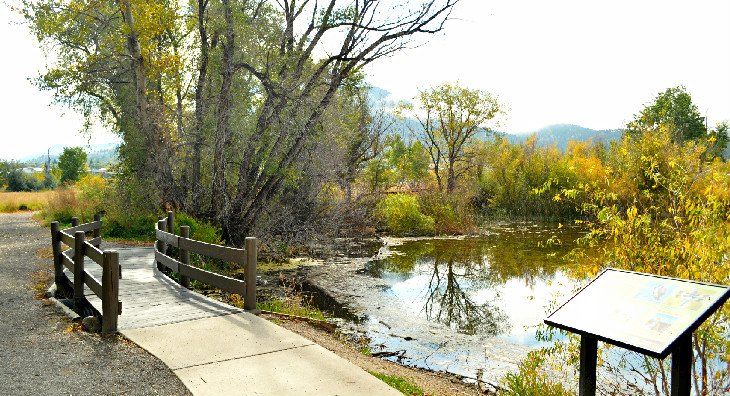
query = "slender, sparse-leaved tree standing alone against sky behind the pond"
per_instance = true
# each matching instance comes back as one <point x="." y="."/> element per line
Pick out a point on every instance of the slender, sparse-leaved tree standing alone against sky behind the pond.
<point x="453" y="116"/>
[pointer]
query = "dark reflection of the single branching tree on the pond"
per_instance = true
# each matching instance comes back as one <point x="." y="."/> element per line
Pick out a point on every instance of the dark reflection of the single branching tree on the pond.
<point x="449" y="304"/>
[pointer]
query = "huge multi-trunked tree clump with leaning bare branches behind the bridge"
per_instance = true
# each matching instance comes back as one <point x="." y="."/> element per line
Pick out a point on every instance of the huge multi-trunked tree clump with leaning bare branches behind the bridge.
<point x="220" y="104"/>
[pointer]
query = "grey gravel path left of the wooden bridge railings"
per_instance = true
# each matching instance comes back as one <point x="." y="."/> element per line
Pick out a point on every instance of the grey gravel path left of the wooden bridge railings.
<point x="38" y="353"/>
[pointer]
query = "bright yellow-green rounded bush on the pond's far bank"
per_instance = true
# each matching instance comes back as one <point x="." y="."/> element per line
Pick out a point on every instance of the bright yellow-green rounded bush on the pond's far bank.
<point x="402" y="215"/>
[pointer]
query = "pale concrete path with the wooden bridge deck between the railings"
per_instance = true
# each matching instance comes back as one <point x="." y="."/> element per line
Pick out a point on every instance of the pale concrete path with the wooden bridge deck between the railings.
<point x="216" y="349"/>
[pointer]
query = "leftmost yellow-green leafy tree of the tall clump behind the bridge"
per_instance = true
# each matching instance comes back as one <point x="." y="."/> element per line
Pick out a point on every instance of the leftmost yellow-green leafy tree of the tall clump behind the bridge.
<point x="116" y="62"/>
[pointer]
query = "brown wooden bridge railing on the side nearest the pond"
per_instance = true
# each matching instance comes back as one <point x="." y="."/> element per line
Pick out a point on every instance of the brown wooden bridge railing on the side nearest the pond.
<point x="247" y="257"/>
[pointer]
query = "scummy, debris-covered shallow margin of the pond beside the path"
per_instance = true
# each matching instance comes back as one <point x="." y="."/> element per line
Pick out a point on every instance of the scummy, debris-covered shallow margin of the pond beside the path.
<point x="364" y="313"/>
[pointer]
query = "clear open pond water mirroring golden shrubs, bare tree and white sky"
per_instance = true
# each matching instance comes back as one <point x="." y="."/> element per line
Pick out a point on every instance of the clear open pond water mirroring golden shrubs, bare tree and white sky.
<point x="462" y="284"/>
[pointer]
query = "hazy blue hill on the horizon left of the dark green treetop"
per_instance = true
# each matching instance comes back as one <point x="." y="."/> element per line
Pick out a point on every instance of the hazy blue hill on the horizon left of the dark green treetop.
<point x="560" y="134"/>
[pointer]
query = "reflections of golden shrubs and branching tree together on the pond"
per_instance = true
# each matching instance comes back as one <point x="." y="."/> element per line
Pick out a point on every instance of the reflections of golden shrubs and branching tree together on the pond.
<point x="459" y="266"/>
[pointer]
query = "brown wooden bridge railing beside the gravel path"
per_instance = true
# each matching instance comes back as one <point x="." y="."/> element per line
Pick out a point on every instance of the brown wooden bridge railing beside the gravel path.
<point x="108" y="288"/>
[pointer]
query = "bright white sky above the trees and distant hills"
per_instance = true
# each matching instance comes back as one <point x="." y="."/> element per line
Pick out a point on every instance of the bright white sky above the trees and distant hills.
<point x="582" y="62"/>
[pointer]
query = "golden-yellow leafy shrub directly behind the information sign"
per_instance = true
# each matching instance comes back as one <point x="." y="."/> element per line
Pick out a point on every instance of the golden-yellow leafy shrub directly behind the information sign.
<point x="664" y="209"/>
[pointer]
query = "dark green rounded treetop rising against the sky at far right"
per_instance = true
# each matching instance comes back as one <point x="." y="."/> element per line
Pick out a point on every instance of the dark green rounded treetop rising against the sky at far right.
<point x="674" y="111"/>
